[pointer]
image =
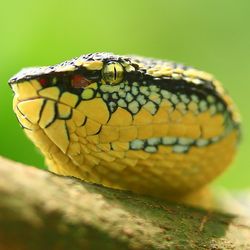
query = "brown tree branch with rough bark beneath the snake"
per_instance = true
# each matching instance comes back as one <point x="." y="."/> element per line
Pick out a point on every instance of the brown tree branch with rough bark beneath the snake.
<point x="40" y="210"/>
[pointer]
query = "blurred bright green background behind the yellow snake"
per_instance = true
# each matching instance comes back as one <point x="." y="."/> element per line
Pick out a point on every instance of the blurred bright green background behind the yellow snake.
<point x="212" y="35"/>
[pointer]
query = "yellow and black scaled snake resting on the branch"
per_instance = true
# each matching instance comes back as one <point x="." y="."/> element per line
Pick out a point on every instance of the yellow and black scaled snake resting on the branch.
<point x="146" y="125"/>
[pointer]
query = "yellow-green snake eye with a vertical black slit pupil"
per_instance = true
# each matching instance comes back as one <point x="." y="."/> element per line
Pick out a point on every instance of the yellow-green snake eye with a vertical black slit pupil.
<point x="113" y="73"/>
